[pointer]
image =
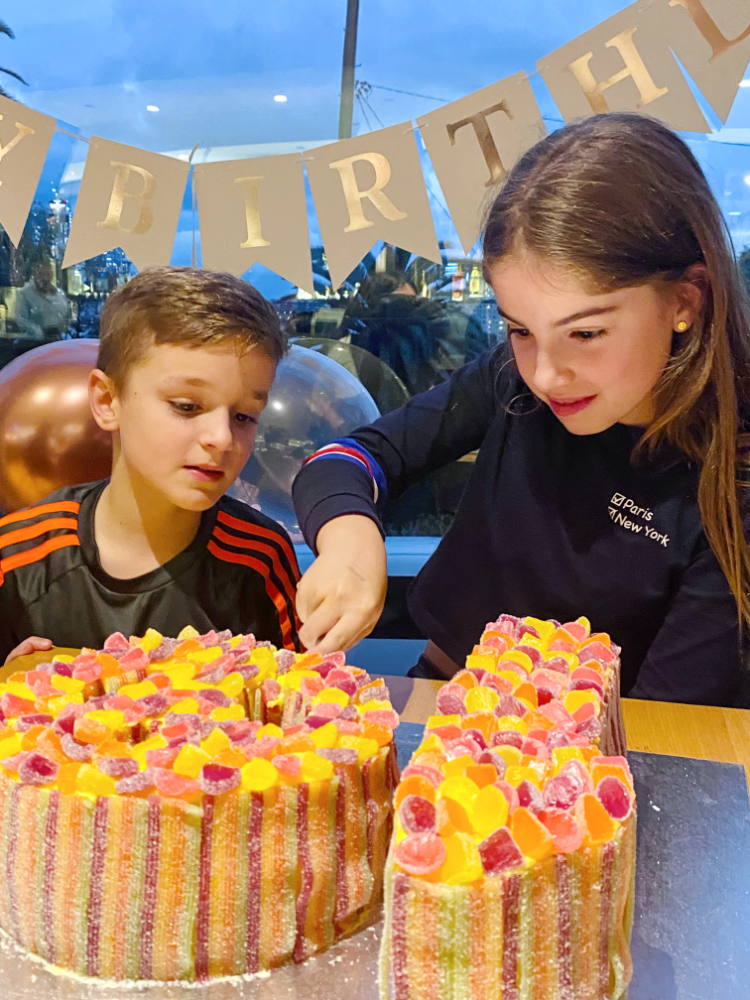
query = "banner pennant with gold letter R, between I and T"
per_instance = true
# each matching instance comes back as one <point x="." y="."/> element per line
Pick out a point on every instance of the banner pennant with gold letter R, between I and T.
<point x="367" y="189"/>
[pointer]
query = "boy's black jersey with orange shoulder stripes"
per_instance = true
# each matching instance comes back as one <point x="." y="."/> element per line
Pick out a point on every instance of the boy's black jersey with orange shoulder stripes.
<point x="240" y="573"/>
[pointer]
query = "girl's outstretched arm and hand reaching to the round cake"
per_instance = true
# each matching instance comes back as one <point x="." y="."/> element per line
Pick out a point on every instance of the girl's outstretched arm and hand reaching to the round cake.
<point x="340" y="491"/>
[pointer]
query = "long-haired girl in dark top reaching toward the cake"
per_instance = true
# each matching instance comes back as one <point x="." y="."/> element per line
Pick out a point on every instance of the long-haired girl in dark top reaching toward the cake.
<point x="606" y="482"/>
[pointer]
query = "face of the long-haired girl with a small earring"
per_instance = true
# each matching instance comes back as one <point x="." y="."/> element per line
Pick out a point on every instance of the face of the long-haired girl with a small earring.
<point x="594" y="359"/>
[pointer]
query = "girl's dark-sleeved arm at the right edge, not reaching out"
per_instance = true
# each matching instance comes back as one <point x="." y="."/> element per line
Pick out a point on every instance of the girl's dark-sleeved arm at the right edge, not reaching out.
<point x="696" y="656"/>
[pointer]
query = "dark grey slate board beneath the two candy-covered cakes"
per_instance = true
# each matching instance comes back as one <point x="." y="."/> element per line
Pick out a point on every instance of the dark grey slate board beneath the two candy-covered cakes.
<point x="692" y="918"/>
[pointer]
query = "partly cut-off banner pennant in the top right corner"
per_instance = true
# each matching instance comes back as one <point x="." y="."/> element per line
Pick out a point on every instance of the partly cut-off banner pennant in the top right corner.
<point x="711" y="38"/>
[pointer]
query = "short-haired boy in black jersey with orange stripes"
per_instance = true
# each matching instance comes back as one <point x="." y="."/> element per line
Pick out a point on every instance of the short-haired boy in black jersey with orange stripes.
<point x="186" y="360"/>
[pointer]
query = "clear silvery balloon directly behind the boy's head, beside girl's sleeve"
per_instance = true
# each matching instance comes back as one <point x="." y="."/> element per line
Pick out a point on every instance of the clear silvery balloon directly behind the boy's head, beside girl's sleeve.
<point x="313" y="401"/>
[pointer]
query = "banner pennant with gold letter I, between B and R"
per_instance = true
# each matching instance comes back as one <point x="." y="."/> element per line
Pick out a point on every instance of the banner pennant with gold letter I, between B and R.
<point x="255" y="211"/>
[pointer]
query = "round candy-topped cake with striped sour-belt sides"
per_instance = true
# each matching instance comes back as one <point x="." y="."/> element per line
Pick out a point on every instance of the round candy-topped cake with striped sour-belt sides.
<point x="192" y="807"/>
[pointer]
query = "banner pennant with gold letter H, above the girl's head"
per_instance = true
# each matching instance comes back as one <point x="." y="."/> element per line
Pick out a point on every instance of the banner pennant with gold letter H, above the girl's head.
<point x="620" y="65"/>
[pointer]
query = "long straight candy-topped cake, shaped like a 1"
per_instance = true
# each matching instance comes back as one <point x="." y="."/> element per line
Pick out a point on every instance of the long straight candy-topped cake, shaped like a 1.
<point x="511" y="869"/>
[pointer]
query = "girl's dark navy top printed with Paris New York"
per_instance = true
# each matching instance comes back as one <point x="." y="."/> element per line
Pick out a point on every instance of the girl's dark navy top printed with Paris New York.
<point x="550" y="524"/>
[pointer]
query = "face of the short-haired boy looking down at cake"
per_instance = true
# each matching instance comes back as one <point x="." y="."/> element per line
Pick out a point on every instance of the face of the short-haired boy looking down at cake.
<point x="187" y="418"/>
